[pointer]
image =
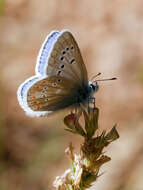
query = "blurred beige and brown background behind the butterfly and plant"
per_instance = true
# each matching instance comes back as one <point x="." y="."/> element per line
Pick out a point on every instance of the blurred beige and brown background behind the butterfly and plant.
<point x="110" y="36"/>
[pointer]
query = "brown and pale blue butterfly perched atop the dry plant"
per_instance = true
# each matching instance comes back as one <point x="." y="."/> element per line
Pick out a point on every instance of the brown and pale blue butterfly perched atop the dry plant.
<point x="61" y="78"/>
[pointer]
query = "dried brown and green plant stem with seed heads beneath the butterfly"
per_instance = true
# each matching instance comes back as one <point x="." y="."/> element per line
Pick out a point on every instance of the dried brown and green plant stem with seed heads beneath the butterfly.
<point x="85" y="166"/>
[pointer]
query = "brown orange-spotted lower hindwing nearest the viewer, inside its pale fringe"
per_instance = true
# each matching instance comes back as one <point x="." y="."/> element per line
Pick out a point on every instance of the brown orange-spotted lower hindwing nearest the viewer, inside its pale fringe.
<point x="50" y="94"/>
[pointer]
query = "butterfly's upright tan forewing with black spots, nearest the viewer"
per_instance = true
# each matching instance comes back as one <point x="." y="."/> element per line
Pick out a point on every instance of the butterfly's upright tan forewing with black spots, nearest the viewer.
<point x="65" y="59"/>
